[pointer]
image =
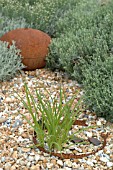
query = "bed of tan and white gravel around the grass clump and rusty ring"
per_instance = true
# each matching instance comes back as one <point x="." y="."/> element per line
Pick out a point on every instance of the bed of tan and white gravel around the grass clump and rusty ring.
<point x="16" y="134"/>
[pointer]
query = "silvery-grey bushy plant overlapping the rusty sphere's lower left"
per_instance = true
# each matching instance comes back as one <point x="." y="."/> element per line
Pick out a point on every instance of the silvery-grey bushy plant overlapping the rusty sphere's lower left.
<point x="10" y="61"/>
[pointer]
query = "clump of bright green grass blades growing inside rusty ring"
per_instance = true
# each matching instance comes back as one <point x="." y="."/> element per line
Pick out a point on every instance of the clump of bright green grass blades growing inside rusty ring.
<point x="57" y="117"/>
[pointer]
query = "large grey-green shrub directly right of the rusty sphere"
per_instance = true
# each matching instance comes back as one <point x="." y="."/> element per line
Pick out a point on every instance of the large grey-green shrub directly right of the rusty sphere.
<point x="86" y="34"/>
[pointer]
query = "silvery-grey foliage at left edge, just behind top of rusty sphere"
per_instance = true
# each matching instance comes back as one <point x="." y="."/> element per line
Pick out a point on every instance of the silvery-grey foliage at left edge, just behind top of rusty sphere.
<point x="8" y="24"/>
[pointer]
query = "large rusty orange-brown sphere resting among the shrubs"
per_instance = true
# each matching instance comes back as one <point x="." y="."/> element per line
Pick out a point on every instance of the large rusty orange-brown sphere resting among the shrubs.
<point x="33" y="45"/>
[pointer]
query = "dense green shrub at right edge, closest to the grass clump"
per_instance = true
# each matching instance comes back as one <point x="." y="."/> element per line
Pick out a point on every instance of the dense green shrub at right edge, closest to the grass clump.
<point x="98" y="87"/>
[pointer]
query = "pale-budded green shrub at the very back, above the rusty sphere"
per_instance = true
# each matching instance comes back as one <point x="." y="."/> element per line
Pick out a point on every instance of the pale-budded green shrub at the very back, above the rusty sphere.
<point x="43" y="14"/>
